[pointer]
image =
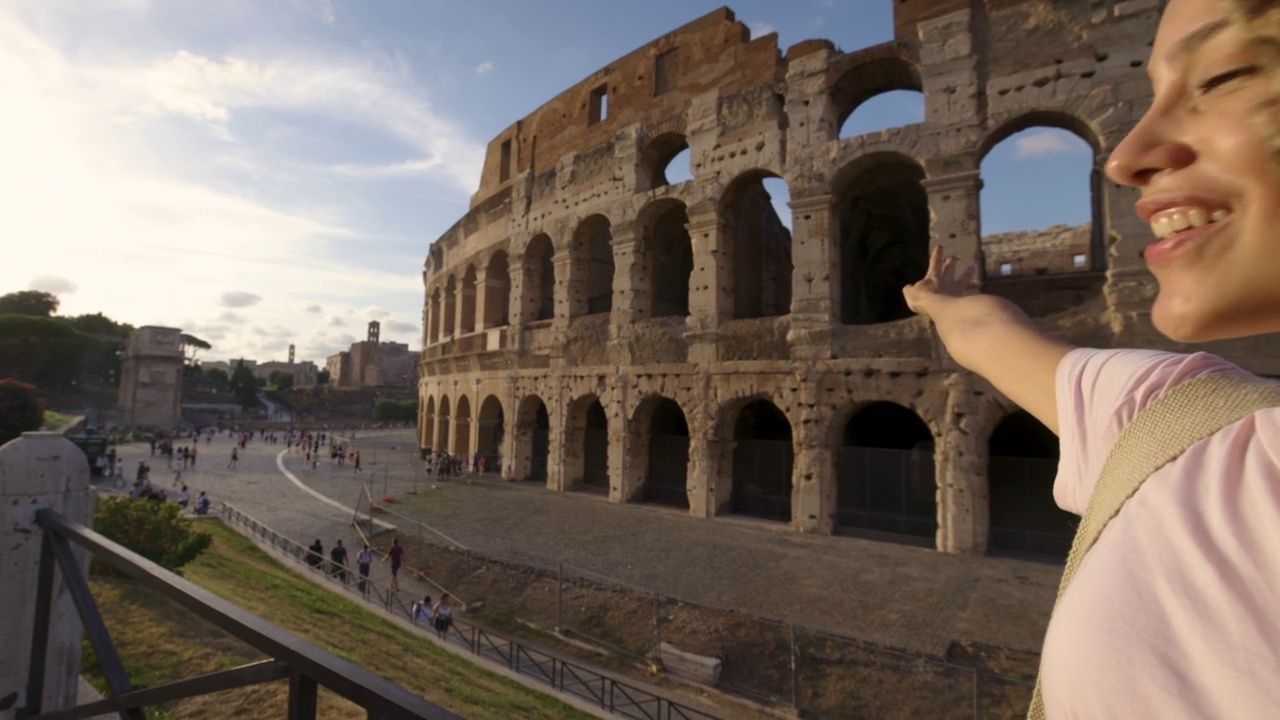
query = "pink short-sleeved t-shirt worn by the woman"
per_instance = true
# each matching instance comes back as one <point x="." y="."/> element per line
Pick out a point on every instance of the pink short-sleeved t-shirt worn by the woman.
<point x="1176" y="613"/>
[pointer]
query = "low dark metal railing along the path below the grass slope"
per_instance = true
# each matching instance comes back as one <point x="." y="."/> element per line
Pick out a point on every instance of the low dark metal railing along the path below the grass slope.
<point x="559" y="673"/>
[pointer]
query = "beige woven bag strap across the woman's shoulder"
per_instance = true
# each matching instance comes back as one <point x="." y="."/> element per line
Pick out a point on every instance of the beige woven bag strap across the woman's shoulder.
<point x="1162" y="432"/>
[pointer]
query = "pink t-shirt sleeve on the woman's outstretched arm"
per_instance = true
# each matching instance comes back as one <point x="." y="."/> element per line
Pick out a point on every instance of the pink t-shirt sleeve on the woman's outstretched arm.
<point x="1099" y="393"/>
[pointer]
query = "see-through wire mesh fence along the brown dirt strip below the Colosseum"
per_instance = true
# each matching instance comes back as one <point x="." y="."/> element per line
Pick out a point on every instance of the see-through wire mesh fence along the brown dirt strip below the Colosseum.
<point x="817" y="675"/>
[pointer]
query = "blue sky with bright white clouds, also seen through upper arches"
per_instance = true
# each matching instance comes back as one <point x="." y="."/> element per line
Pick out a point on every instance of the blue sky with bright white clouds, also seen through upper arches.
<point x="272" y="172"/>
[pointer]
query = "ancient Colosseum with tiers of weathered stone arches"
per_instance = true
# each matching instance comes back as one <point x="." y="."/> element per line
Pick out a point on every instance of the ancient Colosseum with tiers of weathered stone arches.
<point x="593" y="327"/>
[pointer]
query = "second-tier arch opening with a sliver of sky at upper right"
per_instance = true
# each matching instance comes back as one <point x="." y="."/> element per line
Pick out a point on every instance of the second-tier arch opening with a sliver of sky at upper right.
<point x="758" y="247"/>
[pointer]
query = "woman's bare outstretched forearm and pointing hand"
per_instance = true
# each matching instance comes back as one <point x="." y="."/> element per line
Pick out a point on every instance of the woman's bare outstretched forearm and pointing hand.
<point x="991" y="336"/>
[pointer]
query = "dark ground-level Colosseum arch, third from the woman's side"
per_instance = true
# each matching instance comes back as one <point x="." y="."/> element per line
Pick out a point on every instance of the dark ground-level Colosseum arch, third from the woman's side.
<point x="762" y="462"/>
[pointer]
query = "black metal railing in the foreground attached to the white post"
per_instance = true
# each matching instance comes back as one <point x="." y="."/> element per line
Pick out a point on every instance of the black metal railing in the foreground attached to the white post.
<point x="307" y="667"/>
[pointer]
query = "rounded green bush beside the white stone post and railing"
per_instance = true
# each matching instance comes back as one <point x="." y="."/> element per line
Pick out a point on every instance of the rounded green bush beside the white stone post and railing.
<point x="156" y="531"/>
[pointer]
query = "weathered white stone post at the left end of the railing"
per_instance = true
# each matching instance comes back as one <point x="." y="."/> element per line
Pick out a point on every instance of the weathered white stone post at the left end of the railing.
<point x="39" y="471"/>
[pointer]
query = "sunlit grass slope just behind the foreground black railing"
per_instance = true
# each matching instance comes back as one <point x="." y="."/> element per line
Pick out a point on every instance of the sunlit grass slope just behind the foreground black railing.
<point x="162" y="642"/>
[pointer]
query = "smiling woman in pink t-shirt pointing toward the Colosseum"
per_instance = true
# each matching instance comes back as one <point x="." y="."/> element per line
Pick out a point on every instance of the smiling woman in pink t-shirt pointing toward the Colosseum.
<point x="1174" y="612"/>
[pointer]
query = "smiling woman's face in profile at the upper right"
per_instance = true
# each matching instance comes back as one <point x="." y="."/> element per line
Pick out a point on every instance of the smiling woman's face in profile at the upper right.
<point x="1210" y="184"/>
